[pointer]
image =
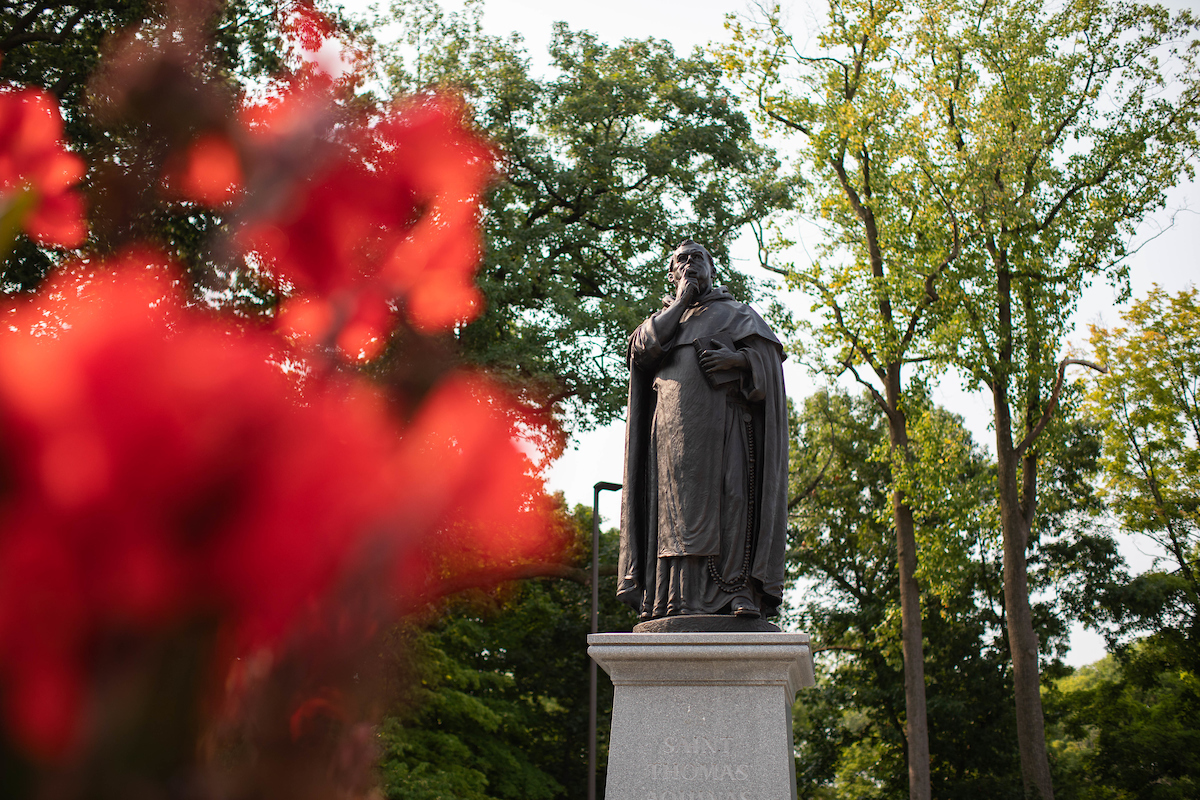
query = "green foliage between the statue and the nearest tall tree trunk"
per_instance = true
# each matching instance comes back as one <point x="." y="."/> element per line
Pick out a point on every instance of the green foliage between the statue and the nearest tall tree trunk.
<point x="844" y="558"/>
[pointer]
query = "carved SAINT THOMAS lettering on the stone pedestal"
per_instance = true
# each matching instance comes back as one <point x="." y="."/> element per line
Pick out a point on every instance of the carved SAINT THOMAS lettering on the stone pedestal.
<point x="693" y="760"/>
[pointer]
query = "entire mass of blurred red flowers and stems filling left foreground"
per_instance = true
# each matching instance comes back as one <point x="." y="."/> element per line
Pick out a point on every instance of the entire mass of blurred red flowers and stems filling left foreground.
<point x="175" y="483"/>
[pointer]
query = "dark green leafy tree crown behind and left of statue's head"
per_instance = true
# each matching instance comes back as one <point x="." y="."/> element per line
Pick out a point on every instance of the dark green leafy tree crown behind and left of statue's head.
<point x="611" y="161"/>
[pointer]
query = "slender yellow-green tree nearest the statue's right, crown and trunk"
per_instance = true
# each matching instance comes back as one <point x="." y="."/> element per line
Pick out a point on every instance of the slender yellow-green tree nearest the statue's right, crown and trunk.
<point x="892" y="238"/>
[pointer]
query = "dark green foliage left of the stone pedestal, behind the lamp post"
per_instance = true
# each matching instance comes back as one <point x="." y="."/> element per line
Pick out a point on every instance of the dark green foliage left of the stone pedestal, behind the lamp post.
<point x="496" y="706"/>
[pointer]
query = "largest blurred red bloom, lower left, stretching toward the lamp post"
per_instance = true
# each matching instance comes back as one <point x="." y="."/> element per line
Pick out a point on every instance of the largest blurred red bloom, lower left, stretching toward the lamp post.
<point x="161" y="470"/>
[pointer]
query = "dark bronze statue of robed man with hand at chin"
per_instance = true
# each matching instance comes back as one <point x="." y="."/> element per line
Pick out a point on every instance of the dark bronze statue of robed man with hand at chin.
<point x="704" y="513"/>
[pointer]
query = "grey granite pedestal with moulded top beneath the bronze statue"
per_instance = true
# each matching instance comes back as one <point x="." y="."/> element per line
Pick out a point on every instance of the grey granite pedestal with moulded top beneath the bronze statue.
<point x="703" y="717"/>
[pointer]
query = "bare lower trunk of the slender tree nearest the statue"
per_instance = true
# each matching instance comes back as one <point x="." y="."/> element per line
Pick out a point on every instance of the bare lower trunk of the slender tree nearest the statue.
<point x="916" y="726"/>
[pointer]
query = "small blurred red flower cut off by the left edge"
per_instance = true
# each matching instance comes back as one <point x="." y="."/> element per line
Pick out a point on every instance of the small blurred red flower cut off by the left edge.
<point x="34" y="160"/>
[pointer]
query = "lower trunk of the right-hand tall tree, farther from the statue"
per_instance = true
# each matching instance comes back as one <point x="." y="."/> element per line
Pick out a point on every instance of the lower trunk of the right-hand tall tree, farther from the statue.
<point x="1023" y="642"/>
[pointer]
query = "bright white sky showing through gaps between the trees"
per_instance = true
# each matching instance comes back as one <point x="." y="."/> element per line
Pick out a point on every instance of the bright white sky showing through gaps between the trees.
<point x="1173" y="260"/>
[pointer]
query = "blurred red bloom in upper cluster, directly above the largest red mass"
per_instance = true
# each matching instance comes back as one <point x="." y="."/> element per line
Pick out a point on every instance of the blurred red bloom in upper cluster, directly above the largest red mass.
<point x="394" y="206"/>
